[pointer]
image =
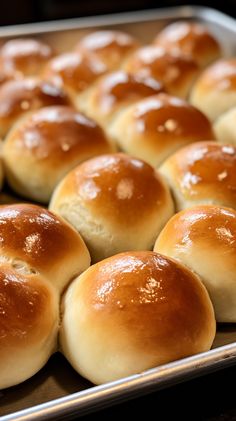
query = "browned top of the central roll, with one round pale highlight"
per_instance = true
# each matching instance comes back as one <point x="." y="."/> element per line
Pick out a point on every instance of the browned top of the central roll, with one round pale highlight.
<point x="118" y="187"/>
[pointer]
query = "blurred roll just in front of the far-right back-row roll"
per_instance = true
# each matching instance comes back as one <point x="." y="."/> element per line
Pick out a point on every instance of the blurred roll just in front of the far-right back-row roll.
<point x="177" y="72"/>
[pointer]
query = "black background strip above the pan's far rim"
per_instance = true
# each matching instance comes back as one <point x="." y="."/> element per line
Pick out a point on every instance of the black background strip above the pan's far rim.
<point x="22" y="11"/>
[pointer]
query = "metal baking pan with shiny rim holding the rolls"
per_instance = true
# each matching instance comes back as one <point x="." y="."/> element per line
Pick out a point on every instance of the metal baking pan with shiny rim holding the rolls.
<point x="57" y="391"/>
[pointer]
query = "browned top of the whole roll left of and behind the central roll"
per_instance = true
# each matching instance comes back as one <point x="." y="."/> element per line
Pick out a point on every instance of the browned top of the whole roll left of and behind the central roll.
<point x="56" y="136"/>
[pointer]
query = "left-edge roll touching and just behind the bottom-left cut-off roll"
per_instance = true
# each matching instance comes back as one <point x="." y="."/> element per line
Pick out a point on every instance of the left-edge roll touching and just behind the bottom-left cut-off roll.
<point x="34" y="240"/>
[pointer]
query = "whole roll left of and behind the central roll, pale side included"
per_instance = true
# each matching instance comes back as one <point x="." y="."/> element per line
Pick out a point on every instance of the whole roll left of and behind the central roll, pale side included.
<point x="46" y="145"/>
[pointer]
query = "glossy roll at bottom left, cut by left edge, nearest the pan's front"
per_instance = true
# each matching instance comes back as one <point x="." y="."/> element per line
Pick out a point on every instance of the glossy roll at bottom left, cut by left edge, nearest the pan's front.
<point x="29" y="320"/>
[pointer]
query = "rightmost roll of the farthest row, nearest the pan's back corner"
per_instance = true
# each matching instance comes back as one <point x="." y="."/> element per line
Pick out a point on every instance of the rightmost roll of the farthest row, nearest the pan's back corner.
<point x="190" y="38"/>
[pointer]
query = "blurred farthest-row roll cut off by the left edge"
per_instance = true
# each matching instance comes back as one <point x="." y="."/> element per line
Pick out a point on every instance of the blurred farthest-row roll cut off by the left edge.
<point x="27" y="56"/>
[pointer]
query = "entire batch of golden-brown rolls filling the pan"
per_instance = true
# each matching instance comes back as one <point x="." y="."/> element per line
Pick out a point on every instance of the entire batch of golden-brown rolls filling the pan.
<point x="133" y="150"/>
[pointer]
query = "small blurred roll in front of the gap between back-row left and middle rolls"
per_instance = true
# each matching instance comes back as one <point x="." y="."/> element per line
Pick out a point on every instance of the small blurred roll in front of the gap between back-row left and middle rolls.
<point x="74" y="71"/>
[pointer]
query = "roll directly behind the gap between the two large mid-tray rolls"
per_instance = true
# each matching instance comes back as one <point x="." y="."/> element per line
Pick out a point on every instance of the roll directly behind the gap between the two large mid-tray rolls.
<point x="115" y="91"/>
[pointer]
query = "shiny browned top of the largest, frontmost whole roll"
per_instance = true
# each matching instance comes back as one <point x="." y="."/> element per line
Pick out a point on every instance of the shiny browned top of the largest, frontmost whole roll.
<point x="147" y="300"/>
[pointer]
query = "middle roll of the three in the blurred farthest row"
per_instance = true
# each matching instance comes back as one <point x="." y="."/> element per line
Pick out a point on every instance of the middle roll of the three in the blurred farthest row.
<point x="111" y="47"/>
